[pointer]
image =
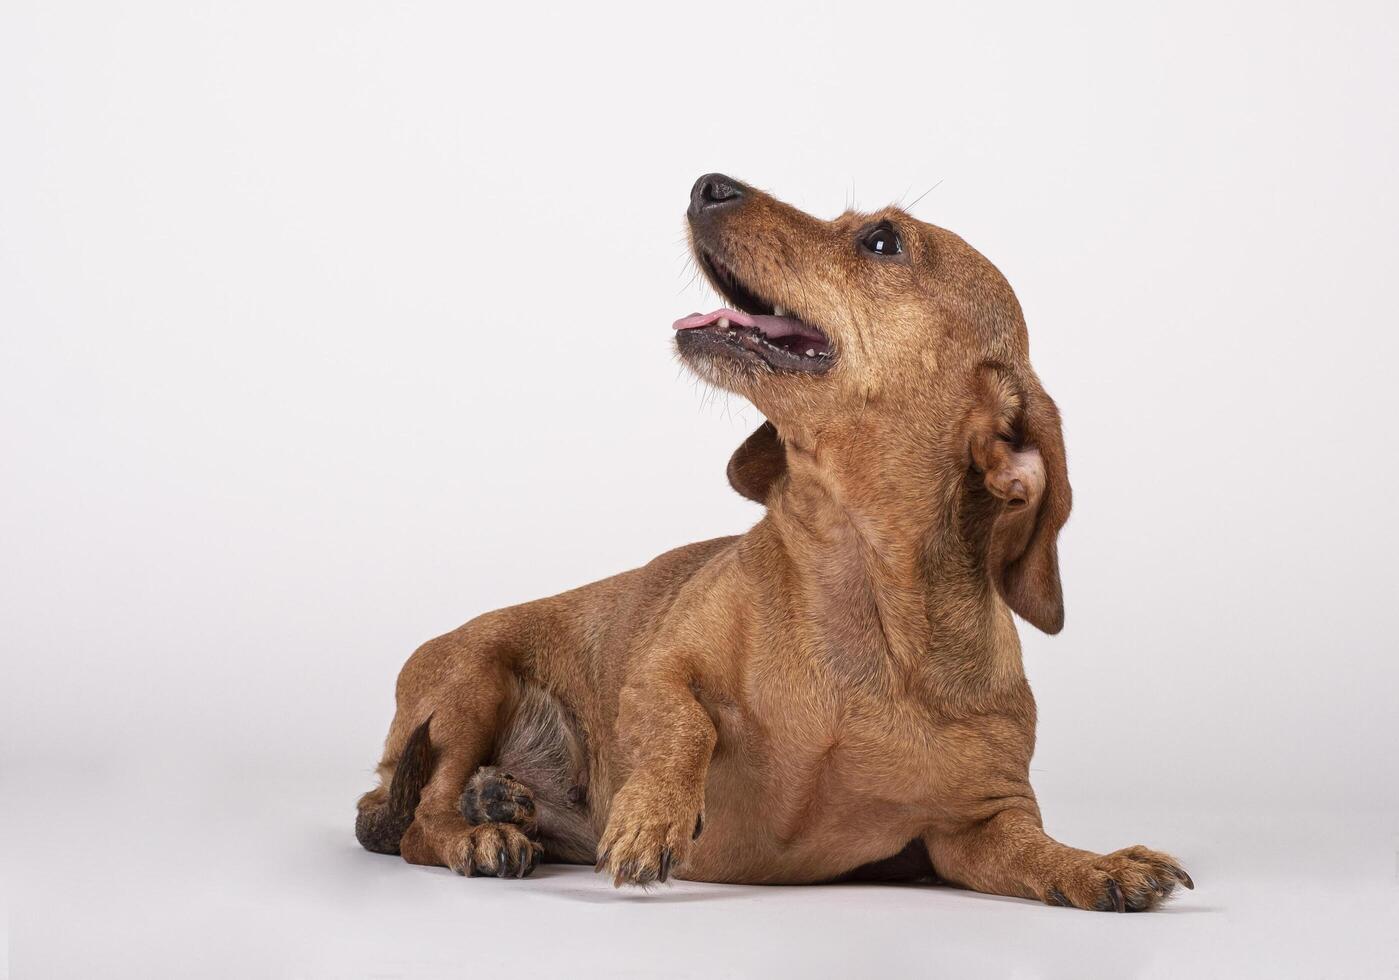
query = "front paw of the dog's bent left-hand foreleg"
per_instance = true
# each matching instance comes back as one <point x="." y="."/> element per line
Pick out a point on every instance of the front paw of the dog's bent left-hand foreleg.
<point x="650" y="833"/>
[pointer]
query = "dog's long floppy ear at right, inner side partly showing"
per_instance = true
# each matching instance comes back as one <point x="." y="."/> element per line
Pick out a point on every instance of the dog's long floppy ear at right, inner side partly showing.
<point x="1018" y="445"/>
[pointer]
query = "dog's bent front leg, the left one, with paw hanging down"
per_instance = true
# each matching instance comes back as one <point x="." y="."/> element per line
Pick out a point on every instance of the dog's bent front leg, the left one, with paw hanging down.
<point x="668" y="739"/>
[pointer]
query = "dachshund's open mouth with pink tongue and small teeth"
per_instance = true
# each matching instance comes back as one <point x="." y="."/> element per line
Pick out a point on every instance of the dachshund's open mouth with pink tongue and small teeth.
<point x="753" y="329"/>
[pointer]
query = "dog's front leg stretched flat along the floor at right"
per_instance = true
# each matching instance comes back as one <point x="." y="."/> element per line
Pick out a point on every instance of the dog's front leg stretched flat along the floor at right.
<point x="1011" y="855"/>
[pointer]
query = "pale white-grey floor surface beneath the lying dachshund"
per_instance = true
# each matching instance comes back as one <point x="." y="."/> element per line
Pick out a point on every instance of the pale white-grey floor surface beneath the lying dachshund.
<point x="250" y="876"/>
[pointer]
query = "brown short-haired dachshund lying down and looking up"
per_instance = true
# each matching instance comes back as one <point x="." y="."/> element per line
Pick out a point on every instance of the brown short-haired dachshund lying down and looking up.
<point x="839" y="693"/>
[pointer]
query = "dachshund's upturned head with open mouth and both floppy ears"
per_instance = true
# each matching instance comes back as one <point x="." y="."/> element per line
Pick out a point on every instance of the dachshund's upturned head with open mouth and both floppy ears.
<point x="888" y="352"/>
